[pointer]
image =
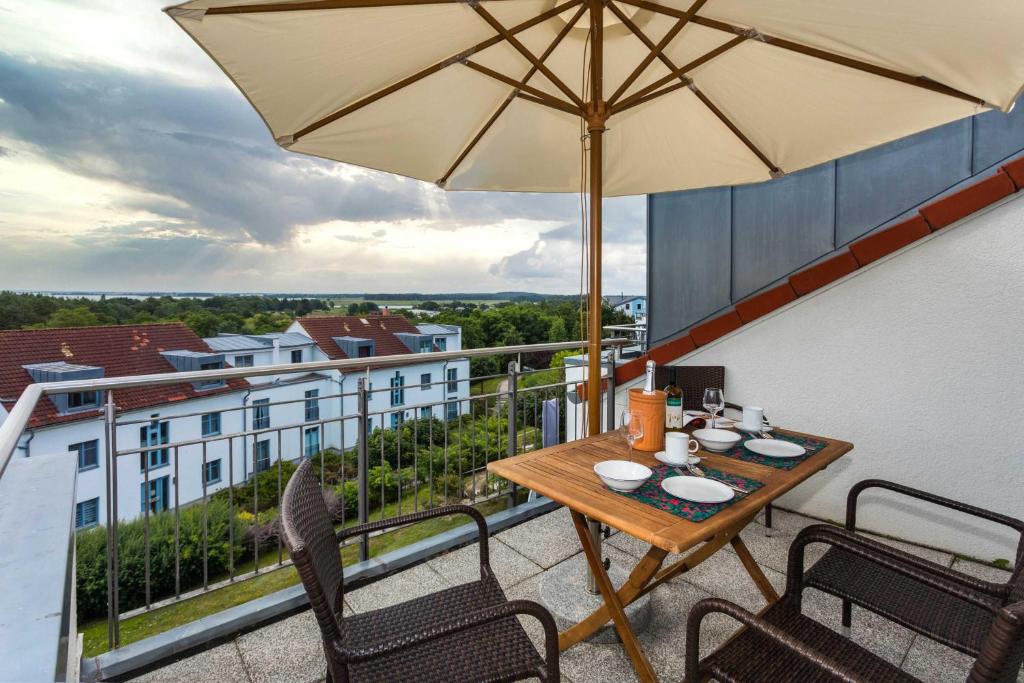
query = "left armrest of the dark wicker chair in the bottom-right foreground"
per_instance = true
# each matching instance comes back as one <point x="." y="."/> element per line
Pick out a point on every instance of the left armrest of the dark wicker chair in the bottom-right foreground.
<point x="770" y="631"/>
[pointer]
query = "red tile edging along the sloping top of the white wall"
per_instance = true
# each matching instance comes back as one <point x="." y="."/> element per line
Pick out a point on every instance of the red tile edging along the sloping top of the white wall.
<point x="934" y="217"/>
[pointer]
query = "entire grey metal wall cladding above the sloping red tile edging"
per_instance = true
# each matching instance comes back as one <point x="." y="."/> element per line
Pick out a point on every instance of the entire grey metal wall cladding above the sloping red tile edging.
<point x="708" y="249"/>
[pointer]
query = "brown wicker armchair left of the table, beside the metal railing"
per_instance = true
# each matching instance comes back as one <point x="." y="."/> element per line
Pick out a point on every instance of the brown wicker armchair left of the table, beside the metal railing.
<point x="466" y="633"/>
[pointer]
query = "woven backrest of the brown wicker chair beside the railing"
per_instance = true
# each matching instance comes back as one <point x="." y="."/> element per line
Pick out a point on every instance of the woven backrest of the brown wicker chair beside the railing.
<point x="307" y="531"/>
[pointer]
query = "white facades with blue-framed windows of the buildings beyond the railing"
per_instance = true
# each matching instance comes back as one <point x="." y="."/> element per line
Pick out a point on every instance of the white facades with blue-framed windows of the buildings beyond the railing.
<point x="293" y="430"/>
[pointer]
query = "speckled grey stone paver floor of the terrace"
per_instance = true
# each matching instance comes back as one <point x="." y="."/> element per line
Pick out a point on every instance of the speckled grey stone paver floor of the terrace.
<point x="290" y="650"/>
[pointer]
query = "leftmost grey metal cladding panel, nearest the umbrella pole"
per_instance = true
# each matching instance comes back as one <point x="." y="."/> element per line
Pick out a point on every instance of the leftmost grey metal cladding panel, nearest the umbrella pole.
<point x="689" y="255"/>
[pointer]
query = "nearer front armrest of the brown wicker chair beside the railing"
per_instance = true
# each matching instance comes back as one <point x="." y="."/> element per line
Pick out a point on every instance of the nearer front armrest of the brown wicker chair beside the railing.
<point x="451" y="627"/>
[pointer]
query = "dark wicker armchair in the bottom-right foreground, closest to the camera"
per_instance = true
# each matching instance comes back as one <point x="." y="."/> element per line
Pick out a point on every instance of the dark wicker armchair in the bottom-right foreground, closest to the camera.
<point x="783" y="645"/>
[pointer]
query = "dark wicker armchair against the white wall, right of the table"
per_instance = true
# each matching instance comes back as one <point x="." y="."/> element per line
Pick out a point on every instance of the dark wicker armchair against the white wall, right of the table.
<point x="947" y="606"/>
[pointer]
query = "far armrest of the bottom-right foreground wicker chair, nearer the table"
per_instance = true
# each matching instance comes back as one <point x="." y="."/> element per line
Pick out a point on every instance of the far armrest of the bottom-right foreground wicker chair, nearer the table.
<point x="933" y="576"/>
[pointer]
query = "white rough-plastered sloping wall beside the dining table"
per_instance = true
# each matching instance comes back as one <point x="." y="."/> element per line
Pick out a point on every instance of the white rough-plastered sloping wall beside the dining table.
<point x="918" y="361"/>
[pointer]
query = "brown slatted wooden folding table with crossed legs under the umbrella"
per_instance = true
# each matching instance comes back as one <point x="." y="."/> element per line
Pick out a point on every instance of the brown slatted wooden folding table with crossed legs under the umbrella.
<point x="566" y="475"/>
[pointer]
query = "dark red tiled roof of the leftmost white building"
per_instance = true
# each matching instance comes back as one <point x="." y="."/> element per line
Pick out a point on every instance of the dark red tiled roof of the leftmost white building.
<point x="120" y="351"/>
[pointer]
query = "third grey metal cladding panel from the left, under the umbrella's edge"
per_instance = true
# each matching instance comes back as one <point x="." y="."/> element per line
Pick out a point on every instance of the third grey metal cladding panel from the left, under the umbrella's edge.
<point x="875" y="186"/>
